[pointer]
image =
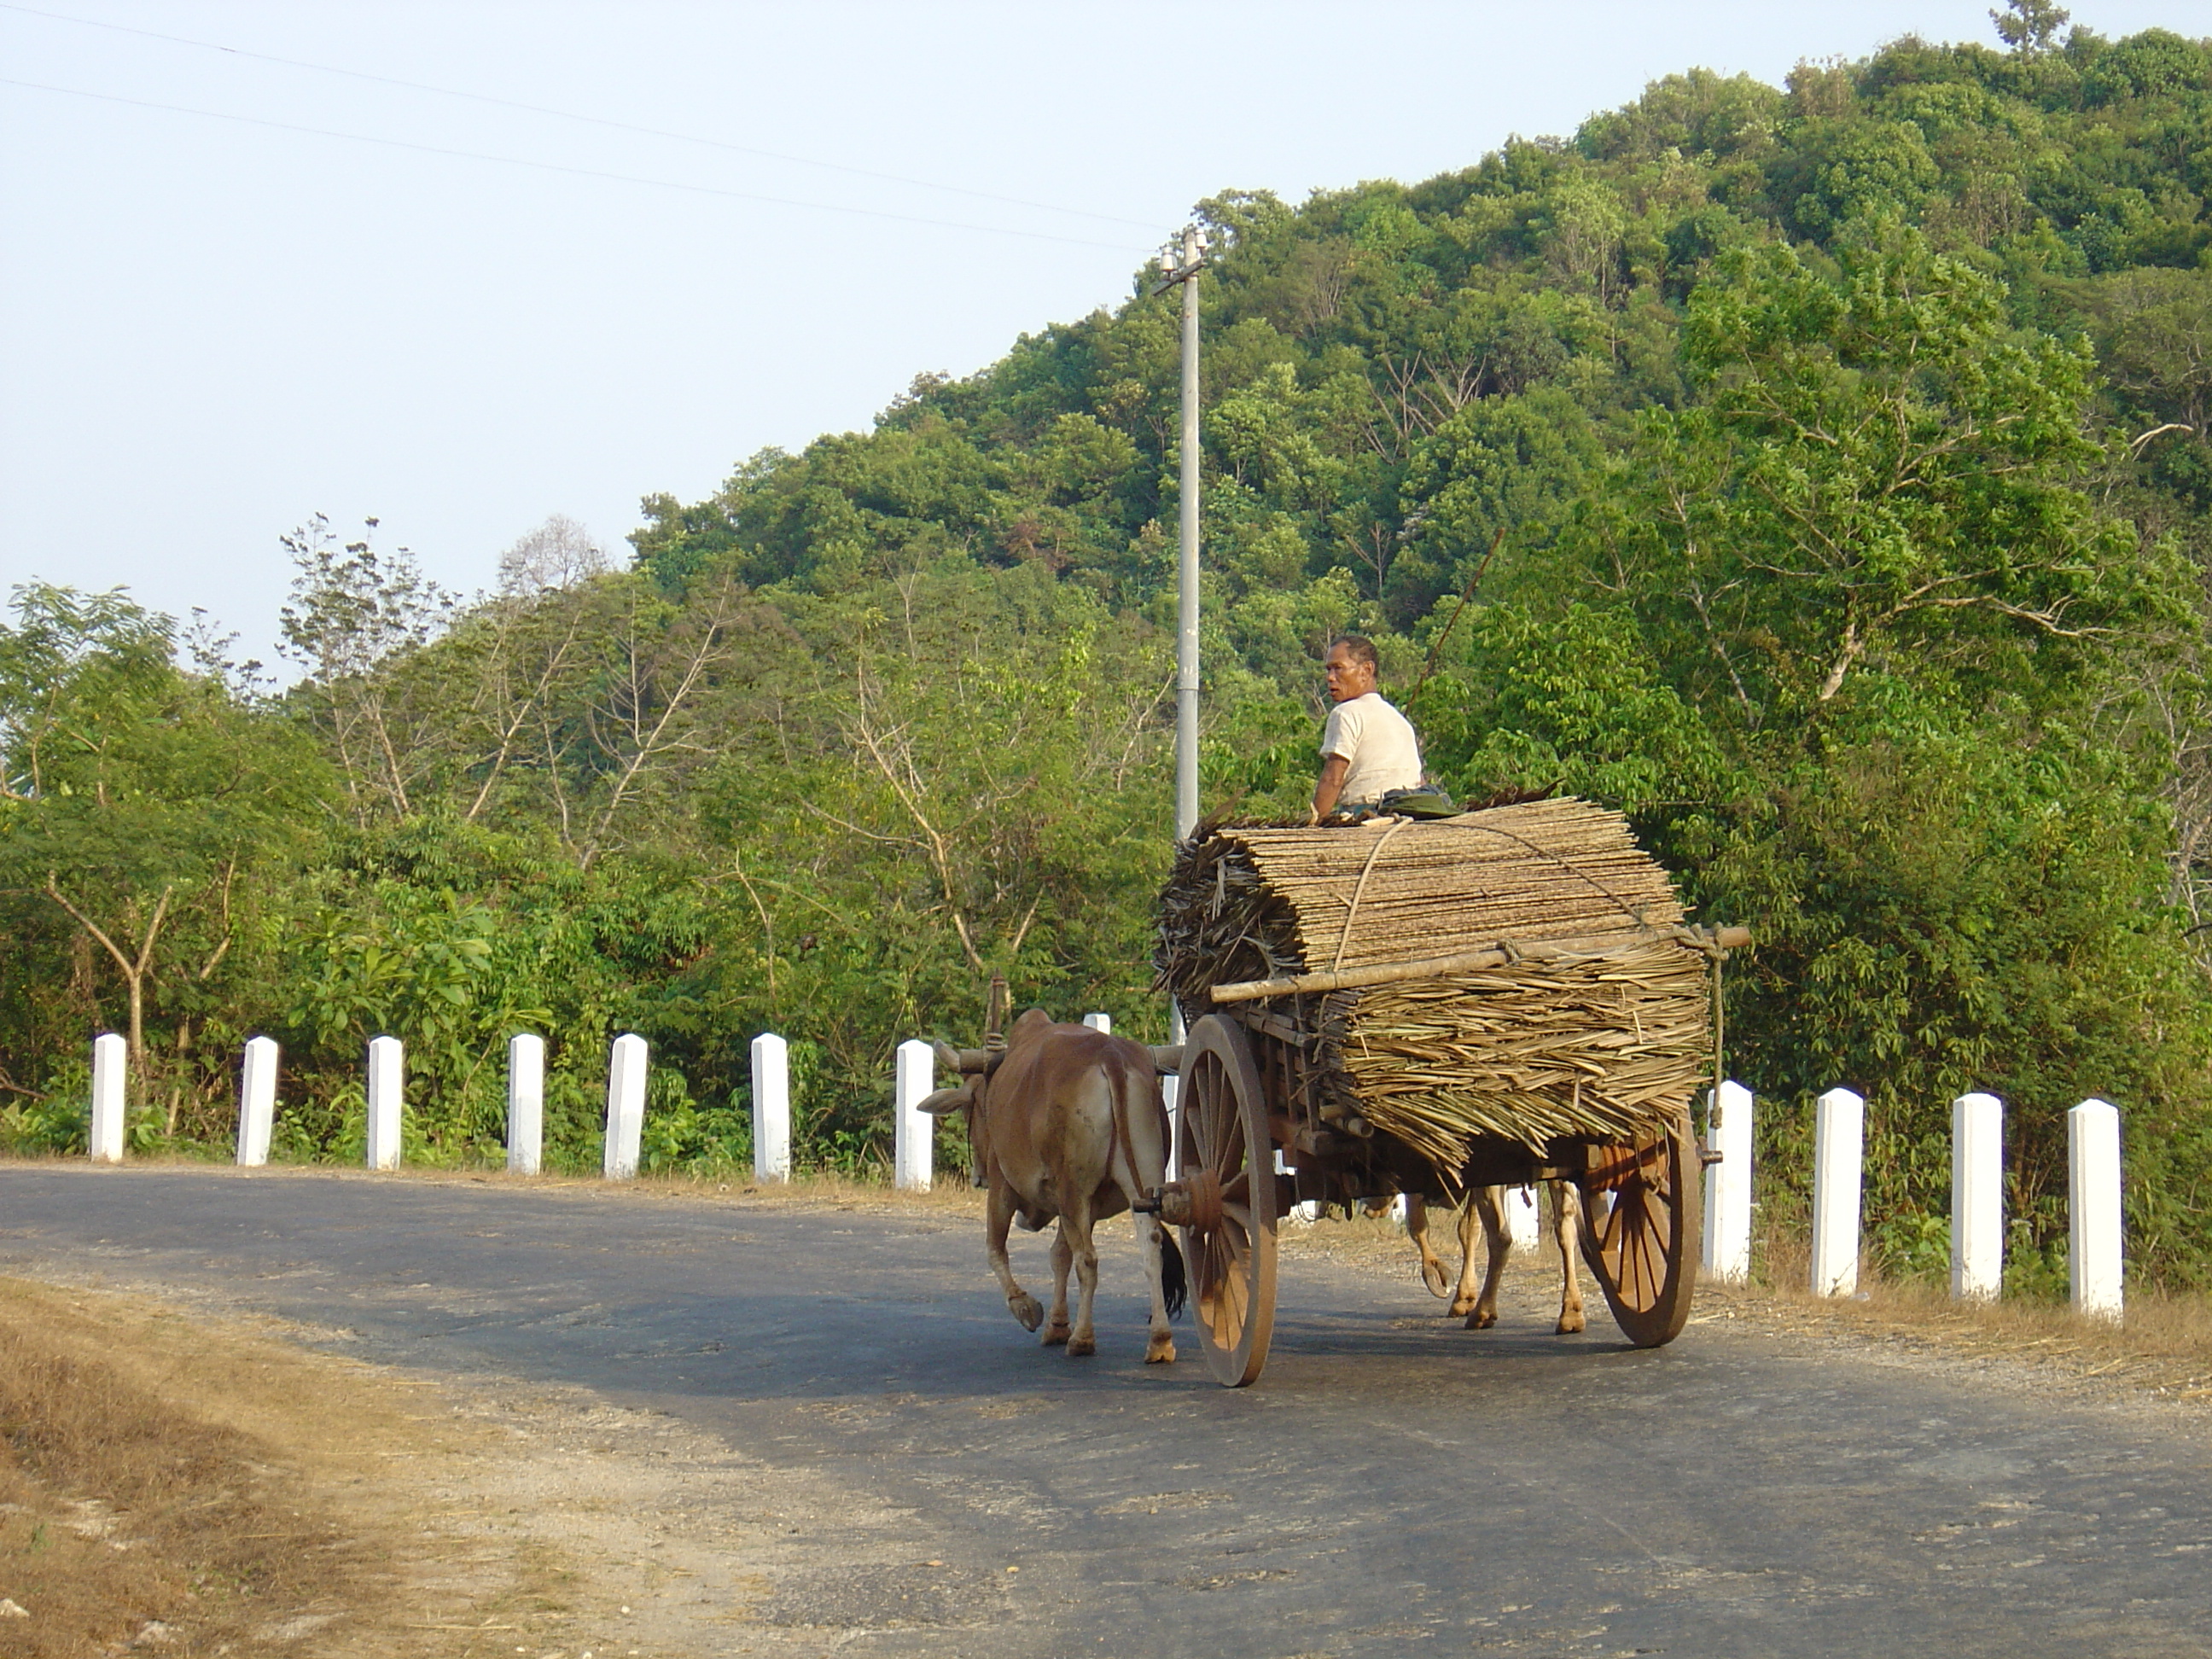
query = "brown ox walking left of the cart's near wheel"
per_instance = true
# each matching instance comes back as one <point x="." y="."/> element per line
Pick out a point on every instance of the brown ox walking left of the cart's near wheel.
<point x="1070" y="1125"/>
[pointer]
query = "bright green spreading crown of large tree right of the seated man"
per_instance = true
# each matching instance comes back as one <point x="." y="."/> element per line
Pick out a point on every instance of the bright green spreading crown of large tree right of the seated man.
<point x="1877" y="477"/>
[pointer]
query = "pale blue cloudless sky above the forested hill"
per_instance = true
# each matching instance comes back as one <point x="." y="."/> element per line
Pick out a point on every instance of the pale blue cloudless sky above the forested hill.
<point x="213" y="328"/>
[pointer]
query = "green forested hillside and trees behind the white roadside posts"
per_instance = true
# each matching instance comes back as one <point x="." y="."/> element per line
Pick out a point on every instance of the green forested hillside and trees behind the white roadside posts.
<point x="1819" y="474"/>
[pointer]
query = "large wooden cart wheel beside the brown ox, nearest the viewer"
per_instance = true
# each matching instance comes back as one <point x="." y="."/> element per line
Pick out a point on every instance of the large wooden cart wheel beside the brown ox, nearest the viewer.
<point x="1227" y="1160"/>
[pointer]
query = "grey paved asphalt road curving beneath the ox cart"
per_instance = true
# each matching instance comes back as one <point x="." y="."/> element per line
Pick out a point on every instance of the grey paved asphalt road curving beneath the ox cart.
<point x="1392" y="1481"/>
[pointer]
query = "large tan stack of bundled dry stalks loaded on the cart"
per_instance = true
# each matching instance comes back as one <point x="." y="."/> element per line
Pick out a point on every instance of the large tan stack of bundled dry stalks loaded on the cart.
<point x="1516" y="972"/>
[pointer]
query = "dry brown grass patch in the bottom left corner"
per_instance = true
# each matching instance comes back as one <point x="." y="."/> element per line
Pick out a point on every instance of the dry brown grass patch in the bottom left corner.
<point x="125" y="1516"/>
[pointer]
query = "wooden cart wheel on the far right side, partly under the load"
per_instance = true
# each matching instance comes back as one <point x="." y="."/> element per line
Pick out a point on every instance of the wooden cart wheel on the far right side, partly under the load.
<point x="1640" y="1233"/>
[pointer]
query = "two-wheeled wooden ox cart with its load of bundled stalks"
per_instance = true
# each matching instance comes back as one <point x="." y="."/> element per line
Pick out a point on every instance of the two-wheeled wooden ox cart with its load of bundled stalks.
<point x="1423" y="1008"/>
